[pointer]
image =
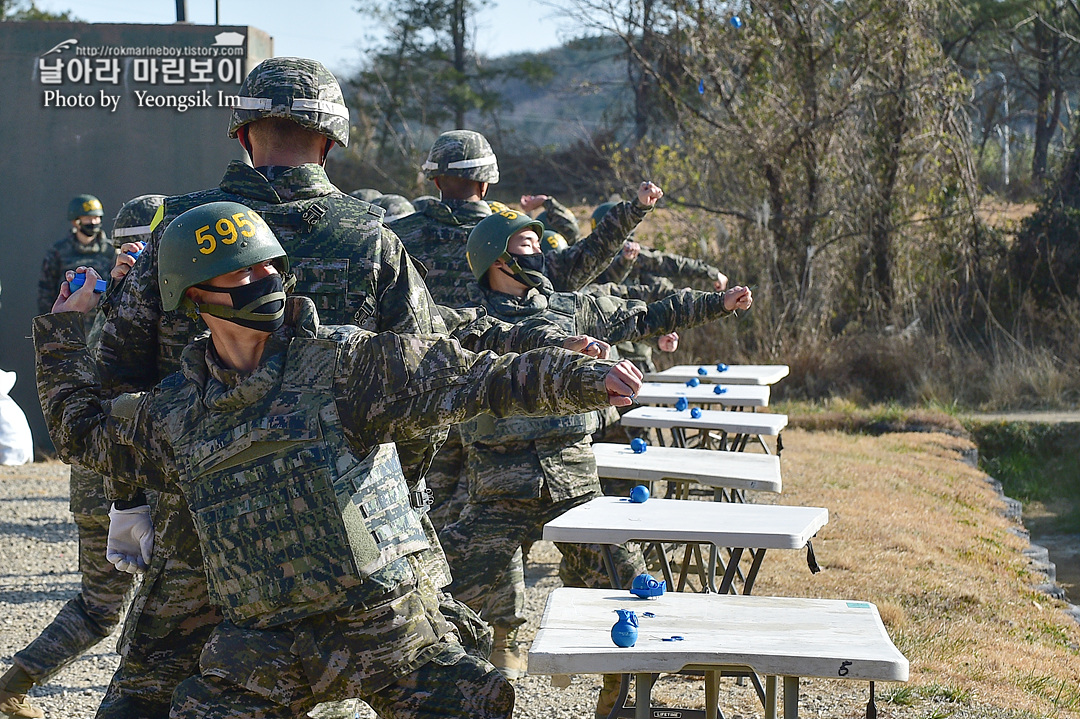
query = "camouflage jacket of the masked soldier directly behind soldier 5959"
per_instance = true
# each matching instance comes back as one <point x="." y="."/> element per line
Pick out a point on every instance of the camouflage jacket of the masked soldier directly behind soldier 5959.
<point x="563" y="462"/>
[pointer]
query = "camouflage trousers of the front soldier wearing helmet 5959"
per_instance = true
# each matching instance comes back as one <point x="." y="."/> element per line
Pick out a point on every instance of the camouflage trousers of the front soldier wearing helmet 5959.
<point x="400" y="658"/>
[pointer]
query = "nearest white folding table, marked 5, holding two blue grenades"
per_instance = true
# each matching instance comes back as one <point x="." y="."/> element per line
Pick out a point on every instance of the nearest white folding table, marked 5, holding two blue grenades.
<point x="772" y="636"/>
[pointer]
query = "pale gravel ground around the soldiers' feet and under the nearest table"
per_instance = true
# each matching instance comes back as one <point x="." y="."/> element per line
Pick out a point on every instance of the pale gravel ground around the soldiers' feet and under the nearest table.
<point x="39" y="552"/>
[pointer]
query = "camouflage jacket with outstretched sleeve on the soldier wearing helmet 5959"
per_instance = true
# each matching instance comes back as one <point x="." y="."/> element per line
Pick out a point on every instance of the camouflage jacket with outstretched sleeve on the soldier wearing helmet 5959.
<point x="384" y="388"/>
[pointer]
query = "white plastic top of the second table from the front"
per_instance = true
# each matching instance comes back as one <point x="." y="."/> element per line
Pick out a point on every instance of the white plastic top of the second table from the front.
<point x="617" y="521"/>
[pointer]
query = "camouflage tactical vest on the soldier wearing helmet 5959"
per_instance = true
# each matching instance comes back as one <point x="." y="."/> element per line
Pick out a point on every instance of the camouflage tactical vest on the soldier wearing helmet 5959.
<point x="291" y="522"/>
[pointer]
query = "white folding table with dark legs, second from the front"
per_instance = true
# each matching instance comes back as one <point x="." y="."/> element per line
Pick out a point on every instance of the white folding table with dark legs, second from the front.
<point x="752" y="528"/>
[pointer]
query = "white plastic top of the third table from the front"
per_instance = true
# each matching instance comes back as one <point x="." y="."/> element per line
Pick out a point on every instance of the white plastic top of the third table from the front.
<point x="706" y="467"/>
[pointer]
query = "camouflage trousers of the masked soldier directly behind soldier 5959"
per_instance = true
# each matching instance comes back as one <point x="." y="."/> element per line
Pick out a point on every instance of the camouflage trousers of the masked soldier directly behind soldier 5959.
<point x="483" y="542"/>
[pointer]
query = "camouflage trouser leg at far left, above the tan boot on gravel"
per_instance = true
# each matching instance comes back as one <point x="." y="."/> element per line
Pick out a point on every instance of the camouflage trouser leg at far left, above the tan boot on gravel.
<point x="88" y="618"/>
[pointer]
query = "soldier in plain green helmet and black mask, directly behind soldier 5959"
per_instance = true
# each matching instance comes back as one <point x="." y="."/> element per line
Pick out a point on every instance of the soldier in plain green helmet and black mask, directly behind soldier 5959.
<point x="524" y="472"/>
